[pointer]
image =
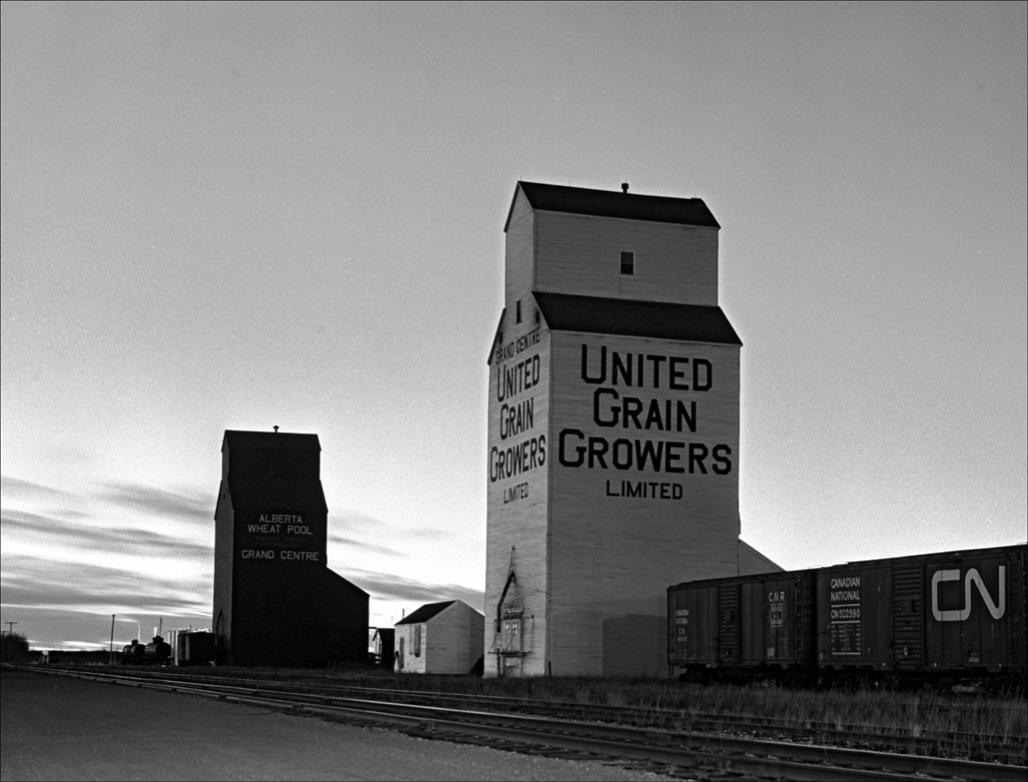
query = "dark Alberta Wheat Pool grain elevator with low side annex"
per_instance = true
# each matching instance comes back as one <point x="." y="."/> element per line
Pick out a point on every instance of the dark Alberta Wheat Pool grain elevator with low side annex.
<point x="276" y="602"/>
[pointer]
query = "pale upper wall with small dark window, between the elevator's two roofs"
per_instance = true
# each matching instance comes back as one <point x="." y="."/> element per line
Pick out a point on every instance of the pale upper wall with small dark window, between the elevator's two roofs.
<point x="580" y="254"/>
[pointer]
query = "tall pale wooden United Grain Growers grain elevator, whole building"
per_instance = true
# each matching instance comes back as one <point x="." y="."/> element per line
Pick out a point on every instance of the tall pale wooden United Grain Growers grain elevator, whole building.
<point x="613" y="431"/>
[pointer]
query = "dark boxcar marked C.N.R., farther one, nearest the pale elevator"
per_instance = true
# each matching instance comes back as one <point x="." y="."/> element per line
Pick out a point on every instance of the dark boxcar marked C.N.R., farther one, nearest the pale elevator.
<point x="744" y="627"/>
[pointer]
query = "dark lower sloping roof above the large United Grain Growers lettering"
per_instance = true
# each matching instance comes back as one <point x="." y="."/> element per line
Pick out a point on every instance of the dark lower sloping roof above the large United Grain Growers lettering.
<point x="636" y="319"/>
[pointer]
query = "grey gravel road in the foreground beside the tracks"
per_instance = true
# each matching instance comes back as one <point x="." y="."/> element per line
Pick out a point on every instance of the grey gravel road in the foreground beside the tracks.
<point x="54" y="728"/>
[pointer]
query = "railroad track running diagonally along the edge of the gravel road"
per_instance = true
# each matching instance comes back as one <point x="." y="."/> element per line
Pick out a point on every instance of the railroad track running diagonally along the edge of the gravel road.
<point x="686" y="754"/>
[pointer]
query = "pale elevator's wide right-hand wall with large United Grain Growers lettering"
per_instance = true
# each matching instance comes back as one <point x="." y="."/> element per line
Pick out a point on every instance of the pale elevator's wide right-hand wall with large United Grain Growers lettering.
<point x="613" y="556"/>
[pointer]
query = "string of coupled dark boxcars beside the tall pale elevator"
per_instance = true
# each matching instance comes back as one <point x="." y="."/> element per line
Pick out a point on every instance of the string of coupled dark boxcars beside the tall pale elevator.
<point x="947" y="618"/>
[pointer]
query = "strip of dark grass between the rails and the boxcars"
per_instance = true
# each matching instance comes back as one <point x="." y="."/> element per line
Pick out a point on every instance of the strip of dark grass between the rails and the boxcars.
<point x="917" y="724"/>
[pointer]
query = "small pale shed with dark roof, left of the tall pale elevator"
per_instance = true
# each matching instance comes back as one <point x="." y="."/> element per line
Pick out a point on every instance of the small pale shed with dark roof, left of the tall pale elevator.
<point x="444" y="638"/>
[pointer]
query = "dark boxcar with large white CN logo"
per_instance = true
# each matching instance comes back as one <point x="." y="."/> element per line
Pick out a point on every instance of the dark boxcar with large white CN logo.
<point x="950" y="614"/>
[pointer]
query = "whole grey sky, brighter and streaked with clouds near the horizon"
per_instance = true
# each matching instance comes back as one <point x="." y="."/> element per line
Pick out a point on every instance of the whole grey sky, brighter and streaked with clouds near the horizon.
<point x="237" y="216"/>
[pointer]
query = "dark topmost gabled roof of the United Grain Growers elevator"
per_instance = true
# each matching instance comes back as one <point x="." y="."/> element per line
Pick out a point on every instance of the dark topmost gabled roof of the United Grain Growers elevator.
<point x="581" y="201"/>
